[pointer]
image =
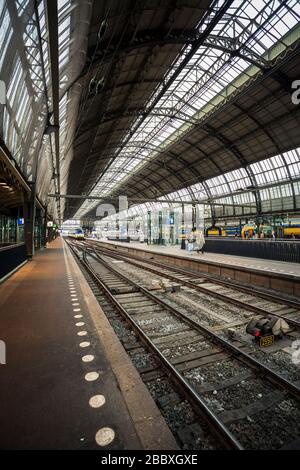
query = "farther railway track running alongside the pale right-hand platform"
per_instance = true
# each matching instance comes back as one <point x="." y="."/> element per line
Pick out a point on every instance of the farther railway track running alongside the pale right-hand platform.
<point x="243" y="297"/>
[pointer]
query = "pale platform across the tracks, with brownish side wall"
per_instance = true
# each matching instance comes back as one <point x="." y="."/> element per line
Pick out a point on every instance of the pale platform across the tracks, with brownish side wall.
<point x="277" y="275"/>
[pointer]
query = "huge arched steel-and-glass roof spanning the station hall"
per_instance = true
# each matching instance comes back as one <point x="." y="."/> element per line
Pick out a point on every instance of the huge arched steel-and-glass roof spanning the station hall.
<point x="186" y="99"/>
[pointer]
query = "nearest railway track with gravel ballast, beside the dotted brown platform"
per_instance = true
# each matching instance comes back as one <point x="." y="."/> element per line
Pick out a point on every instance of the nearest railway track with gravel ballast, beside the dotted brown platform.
<point x="234" y="392"/>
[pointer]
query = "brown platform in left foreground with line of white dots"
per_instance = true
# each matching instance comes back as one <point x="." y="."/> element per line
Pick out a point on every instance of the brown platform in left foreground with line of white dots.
<point x="63" y="359"/>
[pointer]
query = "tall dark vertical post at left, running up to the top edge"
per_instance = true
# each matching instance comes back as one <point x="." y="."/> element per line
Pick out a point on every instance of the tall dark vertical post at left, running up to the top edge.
<point x="52" y="21"/>
